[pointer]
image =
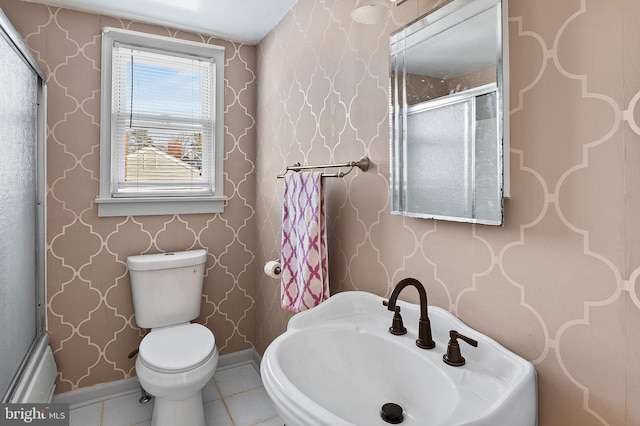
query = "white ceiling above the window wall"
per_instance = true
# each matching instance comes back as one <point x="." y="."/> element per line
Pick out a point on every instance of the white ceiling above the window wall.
<point x="246" y="21"/>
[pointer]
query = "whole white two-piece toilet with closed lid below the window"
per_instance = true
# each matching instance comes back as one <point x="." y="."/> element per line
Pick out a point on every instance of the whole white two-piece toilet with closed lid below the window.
<point x="176" y="359"/>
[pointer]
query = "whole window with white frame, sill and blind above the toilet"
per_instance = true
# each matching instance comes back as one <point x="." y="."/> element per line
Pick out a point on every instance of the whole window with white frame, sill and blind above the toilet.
<point x="161" y="125"/>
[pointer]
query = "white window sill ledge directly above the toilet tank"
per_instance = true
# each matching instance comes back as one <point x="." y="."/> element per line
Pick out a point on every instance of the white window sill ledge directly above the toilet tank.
<point x="109" y="207"/>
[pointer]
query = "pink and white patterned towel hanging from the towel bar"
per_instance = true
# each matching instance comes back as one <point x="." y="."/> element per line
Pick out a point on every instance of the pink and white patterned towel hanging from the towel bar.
<point x="305" y="281"/>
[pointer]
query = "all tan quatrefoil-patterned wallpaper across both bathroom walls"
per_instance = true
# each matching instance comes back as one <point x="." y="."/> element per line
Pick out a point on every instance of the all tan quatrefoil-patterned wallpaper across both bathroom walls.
<point x="558" y="284"/>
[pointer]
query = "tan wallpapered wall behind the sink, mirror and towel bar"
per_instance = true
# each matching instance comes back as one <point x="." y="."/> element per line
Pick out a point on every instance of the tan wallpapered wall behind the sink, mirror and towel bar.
<point x="558" y="284"/>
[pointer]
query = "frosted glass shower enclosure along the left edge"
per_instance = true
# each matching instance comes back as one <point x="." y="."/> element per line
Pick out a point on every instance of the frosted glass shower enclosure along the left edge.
<point x="27" y="369"/>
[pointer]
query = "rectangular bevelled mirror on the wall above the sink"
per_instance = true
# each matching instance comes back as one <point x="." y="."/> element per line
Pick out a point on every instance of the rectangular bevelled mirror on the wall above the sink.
<point x="448" y="133"/>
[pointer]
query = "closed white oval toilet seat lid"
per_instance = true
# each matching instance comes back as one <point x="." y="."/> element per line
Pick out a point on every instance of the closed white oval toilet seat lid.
<point x="177" y="348"/>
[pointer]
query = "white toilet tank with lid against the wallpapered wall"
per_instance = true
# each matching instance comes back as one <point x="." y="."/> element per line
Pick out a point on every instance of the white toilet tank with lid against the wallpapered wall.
<point x="166" y="287"/>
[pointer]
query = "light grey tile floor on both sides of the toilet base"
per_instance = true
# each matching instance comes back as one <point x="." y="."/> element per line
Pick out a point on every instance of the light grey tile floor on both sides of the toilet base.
<point x="235" y="397"/>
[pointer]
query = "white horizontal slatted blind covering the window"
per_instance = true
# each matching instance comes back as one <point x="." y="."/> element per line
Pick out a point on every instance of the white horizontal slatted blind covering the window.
<point x="162" y="118"/>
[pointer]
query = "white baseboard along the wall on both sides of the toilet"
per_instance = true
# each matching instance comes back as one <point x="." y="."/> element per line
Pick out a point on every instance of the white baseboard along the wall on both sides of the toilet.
<point x="91" y="395"/>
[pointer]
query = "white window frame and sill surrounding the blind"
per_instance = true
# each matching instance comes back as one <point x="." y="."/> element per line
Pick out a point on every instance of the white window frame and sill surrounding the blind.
<point x="111" y="205"/>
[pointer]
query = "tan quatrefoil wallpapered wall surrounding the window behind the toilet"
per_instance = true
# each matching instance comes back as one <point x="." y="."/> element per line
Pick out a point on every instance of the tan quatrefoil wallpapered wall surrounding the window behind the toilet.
<point x="90" y="312"/>
